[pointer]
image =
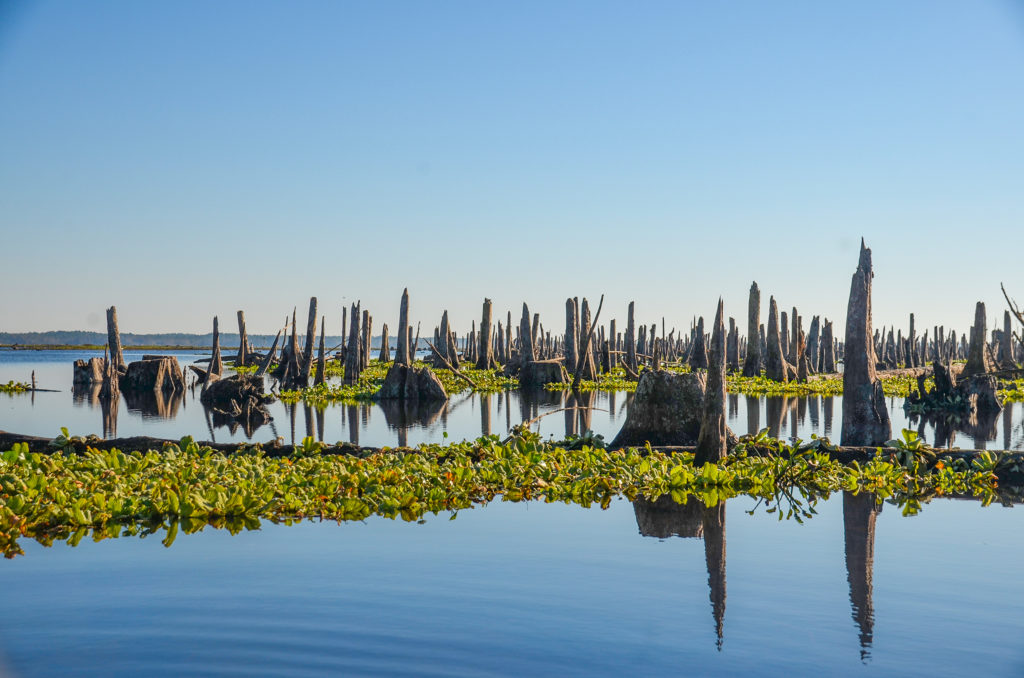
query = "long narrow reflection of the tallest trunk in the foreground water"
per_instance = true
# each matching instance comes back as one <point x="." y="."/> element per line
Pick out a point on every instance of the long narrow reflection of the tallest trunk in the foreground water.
<point x="860" y="513"/>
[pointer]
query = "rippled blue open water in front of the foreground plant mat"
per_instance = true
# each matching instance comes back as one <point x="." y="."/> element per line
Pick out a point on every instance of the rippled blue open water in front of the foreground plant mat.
<point x="536" y="589"/>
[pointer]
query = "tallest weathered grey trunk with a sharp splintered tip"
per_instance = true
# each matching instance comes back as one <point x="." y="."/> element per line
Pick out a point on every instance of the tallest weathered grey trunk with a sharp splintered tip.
<point x="866" y="419"/>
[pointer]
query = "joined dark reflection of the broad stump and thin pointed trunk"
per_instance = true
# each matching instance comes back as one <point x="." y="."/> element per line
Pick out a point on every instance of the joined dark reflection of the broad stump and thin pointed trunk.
<point x="664" y="518"/>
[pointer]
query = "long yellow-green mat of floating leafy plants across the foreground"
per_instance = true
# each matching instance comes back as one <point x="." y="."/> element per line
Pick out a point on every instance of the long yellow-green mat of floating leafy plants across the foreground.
<point x="107" y="494"/>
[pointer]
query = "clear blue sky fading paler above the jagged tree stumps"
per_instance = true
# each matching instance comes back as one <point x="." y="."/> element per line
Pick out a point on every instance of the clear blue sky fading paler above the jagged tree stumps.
<point x="189" y="159"/>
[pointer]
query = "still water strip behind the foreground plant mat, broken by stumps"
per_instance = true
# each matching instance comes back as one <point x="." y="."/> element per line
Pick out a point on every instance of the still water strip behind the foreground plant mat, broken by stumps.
<point x="372" y="425"/>
